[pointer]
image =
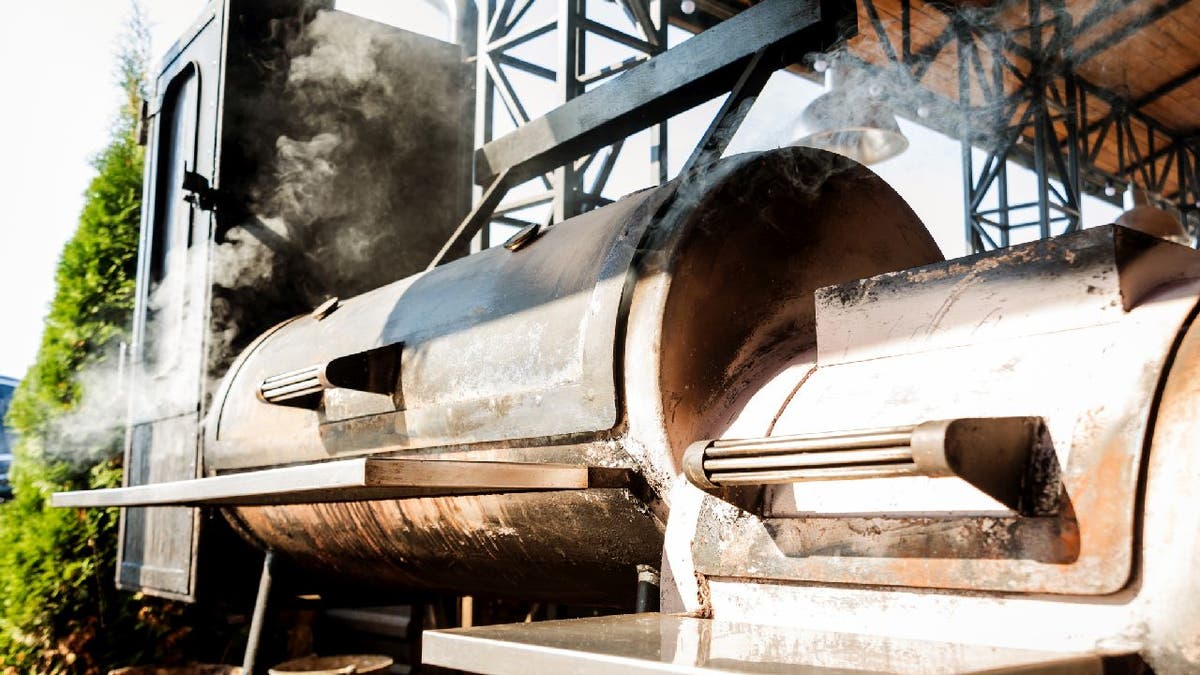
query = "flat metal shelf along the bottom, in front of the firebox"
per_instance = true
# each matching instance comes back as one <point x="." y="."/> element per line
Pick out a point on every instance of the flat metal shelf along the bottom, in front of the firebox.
<point x="657" y="643"/>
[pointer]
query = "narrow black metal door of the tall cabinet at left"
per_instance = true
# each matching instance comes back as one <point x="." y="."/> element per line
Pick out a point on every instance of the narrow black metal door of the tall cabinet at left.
<point x="169" y="377"/>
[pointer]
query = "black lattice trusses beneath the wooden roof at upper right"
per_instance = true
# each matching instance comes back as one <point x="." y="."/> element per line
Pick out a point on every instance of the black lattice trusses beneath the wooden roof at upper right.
<point x="1042" y="122"/>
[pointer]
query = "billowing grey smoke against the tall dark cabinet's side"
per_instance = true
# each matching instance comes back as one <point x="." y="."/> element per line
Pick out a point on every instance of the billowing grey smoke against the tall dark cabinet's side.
<point x="338" y="196"/>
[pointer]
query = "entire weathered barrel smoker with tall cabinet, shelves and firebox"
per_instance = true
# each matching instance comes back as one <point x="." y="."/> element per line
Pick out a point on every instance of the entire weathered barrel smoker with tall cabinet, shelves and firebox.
<point x="761" y="379"/>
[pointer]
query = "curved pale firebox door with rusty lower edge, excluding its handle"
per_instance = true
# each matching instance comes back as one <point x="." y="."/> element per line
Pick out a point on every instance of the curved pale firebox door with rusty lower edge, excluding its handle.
<point x="1055" y="342"/>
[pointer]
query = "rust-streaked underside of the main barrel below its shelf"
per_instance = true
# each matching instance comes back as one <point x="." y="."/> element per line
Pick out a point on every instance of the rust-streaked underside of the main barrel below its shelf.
<point x="572" y="546"/>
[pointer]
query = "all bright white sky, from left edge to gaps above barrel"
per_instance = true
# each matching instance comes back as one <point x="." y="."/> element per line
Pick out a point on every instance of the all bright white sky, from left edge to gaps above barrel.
<point x="57" y="63"/>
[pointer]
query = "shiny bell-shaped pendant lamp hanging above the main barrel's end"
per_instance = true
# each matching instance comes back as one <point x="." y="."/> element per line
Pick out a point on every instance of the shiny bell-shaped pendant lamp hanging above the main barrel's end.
<point x="850" y="120"/>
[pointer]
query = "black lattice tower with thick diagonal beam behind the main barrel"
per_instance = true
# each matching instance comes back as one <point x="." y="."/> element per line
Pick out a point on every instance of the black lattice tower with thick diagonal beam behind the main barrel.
<point x="736" y="56"/>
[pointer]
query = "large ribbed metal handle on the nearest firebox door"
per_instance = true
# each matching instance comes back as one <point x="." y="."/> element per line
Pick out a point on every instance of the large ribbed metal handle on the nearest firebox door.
<point x="994" y="455"/>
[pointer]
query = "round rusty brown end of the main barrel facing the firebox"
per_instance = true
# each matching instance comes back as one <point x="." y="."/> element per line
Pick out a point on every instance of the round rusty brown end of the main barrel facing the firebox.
<point x="716" y="324"/>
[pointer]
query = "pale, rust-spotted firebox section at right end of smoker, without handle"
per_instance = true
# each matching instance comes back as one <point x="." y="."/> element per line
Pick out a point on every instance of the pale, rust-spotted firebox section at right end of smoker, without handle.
<point x="1094" y="336"/>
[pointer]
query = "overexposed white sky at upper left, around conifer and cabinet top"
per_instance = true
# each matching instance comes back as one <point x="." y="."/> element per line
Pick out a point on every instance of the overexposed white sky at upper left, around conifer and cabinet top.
<point x="61" y="95"/>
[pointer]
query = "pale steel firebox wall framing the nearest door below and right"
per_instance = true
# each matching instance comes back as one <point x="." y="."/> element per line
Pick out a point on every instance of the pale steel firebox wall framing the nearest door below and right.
<point x="1154" y="616"/>
